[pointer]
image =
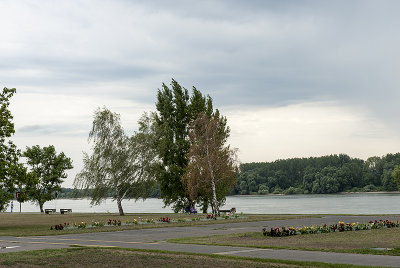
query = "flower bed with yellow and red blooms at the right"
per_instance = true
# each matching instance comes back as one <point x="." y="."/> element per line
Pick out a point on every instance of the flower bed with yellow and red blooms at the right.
<point x="339" y="227"/>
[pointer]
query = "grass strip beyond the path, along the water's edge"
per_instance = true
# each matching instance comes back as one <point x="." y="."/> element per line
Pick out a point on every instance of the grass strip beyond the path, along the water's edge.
<point x="26" y="224"/>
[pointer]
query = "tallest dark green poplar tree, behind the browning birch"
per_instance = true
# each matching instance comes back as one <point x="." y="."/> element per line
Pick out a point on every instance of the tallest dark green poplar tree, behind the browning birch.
<point x="175" y="110"/>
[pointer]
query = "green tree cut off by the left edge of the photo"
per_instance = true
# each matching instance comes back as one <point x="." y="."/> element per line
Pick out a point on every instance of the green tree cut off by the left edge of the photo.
<point x="9" y="154"/>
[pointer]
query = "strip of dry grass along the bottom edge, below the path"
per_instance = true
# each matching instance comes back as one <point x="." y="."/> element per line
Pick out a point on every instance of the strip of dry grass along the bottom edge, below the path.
<point x="100" y="257"/>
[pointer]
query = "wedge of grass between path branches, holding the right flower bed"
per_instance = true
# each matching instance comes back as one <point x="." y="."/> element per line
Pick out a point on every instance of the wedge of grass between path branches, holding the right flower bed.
<point x="350" y="242"/>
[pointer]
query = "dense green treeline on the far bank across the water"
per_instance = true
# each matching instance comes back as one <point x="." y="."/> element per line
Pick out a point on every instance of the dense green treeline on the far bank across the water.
<point x="319" y="175"/>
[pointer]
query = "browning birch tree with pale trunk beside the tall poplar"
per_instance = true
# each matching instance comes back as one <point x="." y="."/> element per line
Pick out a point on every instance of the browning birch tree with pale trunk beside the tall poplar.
<point x="212" y="169"/>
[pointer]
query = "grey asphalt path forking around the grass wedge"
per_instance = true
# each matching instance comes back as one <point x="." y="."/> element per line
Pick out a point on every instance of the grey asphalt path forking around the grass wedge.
<point x="156" y="239"/>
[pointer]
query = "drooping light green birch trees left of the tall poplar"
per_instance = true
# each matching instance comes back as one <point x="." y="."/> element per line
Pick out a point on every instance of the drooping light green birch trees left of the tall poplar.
<point x="119" y="164"/>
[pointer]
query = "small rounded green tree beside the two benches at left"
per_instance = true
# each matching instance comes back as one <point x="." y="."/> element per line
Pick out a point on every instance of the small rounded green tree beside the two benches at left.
<point x="47" y="169"/>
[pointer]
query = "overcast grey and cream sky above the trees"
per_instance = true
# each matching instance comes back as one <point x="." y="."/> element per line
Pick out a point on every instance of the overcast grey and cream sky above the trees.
<point x="294" y="78"/>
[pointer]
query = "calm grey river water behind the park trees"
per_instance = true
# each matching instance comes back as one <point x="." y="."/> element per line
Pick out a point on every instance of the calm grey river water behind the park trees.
<point x="381" y="203"/>
